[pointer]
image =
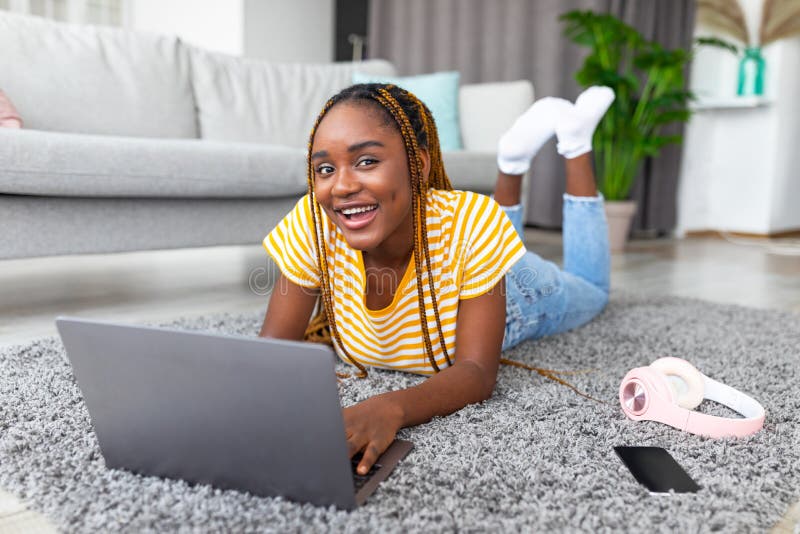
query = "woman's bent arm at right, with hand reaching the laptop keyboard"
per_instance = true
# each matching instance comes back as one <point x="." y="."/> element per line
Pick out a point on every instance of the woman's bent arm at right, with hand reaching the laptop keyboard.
<point x="372" y="425"/>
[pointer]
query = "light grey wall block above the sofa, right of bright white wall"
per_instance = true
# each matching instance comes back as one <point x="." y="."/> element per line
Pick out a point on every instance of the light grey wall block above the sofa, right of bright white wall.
<point x="290" y="30"/>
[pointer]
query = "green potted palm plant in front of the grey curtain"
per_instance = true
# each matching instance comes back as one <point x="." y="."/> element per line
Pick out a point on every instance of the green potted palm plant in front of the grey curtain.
<point x="651" y="93"/>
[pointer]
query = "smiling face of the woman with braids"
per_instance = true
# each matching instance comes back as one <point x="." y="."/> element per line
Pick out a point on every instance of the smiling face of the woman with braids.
<point x="362" y="180"/>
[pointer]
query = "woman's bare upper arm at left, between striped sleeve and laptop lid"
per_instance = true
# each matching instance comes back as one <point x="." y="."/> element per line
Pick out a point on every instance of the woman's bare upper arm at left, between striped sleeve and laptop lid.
<point x="289" y="310"/>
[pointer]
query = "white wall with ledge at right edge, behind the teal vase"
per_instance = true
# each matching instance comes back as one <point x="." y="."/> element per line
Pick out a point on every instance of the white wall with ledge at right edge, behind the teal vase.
<point x="740" y="163"/>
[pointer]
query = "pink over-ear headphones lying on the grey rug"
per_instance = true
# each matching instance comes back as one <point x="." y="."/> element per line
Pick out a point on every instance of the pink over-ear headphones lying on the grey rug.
<point x="668" y="391"/>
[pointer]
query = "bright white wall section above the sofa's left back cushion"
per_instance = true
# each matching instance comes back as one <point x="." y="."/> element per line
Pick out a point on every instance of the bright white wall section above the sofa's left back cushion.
<point x="213" y="24"/>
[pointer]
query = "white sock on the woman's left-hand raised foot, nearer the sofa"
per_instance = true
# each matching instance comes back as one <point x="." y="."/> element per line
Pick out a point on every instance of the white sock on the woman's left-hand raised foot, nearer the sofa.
<point x="530" y="131"/>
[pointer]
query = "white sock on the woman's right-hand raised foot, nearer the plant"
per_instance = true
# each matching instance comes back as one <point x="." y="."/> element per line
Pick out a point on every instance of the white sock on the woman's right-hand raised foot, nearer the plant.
<point x="575" y="127"/>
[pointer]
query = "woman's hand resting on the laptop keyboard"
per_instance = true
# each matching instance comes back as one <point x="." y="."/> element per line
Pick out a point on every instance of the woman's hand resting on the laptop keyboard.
<point x="371" y="426"/>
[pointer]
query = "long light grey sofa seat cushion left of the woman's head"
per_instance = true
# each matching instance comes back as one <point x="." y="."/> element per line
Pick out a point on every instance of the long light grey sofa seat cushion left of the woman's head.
<point x="77" y="165"/>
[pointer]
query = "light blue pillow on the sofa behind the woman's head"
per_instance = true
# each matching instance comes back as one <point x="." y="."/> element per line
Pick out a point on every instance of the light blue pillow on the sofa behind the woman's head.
<point x="439" y="91"/>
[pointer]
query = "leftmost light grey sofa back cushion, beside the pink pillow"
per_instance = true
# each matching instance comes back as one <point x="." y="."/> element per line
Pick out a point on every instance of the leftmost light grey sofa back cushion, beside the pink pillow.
<point x="69" y="78"/>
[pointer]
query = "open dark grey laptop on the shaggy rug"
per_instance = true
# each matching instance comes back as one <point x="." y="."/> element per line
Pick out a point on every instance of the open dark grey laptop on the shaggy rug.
<point x="246" y="413"/>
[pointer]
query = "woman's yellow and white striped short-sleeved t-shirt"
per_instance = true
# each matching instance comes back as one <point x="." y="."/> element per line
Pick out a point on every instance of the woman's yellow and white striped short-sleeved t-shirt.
<point x="472" y="244"/>
